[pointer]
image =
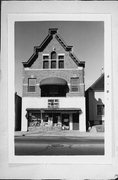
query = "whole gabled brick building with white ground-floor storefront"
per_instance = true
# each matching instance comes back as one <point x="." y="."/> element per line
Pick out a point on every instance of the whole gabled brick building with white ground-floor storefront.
<point x="53" y="87"/>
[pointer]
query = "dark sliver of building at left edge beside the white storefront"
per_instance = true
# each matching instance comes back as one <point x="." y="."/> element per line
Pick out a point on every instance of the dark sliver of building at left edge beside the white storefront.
<point x="18" y="103"/>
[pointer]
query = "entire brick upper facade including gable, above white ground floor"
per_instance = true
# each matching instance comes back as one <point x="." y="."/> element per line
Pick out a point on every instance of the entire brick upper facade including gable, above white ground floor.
<point x="71" y="69"/>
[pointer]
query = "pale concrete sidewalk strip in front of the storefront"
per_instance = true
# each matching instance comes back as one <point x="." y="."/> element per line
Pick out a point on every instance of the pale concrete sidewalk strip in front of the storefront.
<point x="74" y="133"/>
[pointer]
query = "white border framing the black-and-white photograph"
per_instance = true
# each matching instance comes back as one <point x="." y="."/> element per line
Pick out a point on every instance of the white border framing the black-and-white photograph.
<point x="104" y="159"/>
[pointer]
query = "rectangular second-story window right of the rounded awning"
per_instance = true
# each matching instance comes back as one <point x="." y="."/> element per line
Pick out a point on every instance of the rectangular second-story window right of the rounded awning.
<point x="74" y="83"/>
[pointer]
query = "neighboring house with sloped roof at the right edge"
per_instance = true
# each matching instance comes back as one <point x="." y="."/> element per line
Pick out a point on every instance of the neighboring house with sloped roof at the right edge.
<point x="95" y="103"/>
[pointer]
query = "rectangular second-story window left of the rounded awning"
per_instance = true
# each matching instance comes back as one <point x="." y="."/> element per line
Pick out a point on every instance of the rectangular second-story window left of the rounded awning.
<point x="31" y="84"/>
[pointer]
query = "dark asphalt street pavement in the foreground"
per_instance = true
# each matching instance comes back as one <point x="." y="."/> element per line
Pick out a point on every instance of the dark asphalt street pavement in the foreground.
<point x="37" y="144"/>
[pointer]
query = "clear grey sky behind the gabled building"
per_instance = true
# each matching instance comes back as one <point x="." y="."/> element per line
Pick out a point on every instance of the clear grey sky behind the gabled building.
<point x="86" y="37"/>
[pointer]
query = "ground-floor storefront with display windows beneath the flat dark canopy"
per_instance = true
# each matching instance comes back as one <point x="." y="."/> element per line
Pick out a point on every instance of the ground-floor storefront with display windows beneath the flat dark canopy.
<point x="65" y="119"/>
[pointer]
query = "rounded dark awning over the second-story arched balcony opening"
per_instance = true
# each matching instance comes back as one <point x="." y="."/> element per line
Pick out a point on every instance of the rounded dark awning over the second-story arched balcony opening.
<point x="53" y="81"/>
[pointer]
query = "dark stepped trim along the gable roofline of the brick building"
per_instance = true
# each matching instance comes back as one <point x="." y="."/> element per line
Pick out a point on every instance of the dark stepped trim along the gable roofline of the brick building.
<point x="46" y="41"/>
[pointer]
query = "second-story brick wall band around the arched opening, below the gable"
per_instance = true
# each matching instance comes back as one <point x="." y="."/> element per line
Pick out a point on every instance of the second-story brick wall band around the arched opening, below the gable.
<point x="42" y="74"/>
